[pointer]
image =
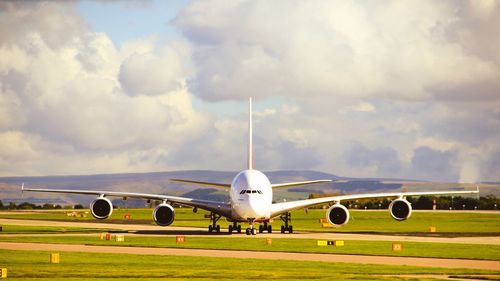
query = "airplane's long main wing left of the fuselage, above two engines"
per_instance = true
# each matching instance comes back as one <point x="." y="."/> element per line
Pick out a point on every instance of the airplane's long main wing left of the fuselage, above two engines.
<point x="220" y="208"/>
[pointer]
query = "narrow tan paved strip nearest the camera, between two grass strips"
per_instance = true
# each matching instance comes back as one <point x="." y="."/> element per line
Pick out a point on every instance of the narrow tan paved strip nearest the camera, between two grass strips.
<point x="359" y="259"/>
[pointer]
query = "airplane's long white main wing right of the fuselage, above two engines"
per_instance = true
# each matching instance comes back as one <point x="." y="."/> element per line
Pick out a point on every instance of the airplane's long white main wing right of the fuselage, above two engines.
<point x="283" y="207"/>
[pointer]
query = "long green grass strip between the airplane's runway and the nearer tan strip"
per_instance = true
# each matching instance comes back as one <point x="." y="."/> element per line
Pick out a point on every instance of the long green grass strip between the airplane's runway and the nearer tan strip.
<point x="411" y="249"/>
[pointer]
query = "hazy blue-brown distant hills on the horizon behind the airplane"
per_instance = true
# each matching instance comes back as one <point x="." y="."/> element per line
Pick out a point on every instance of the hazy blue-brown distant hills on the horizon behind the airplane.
<point x="159" y="183"/>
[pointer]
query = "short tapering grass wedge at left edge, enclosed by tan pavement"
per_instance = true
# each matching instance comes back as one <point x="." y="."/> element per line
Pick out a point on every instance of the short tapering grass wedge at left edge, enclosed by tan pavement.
<point x="29" y="229"/>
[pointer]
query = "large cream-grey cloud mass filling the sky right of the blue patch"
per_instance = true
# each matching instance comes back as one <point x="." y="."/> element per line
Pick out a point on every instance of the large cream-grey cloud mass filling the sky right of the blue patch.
<point x="420" y="68"/>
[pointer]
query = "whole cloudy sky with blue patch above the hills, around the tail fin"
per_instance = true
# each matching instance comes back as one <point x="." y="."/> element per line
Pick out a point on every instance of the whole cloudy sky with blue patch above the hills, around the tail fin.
<point x="393" y="89"/>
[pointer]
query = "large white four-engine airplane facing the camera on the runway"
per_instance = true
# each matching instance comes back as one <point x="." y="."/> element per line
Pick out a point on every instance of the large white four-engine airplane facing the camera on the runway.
<point x="250" y="200"/>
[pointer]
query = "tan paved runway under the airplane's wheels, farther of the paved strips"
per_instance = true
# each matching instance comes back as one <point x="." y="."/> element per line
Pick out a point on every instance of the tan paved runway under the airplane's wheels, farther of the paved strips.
<point x="153" y="230"/>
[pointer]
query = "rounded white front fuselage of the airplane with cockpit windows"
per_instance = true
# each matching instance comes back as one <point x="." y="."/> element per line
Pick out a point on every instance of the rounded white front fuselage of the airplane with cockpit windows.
<point x="251" y="196"/>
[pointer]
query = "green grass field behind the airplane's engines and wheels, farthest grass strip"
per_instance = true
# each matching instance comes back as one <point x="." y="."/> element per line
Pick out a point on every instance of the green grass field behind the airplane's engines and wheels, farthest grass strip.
<point x="361" y="221"/>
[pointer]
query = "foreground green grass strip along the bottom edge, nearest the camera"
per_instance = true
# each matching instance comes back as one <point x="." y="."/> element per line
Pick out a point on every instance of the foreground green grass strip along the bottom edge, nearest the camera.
<point x="28" y="265"/>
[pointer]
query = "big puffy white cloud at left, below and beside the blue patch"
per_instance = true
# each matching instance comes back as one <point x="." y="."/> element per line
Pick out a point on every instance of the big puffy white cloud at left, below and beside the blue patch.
<point x="62" y="106"/>
